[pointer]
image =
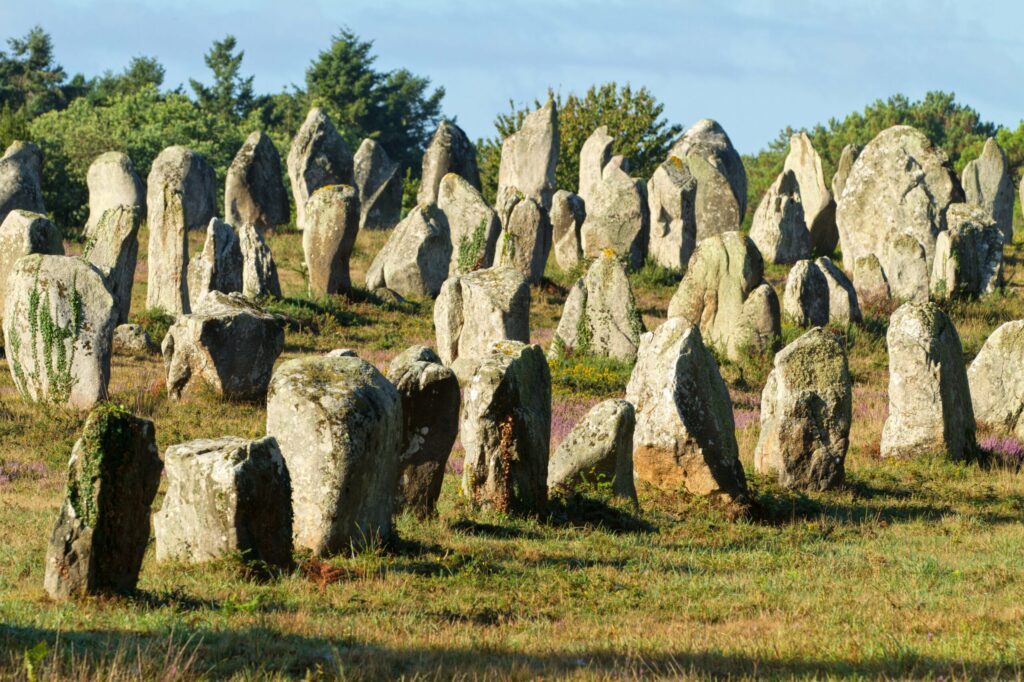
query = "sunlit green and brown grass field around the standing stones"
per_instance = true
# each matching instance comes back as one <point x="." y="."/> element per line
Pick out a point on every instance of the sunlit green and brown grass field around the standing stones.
<point x="915" y="570"/>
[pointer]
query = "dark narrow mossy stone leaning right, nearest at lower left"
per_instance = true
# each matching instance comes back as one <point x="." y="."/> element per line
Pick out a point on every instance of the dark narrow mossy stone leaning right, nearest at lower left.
<point x="102" y="532"/>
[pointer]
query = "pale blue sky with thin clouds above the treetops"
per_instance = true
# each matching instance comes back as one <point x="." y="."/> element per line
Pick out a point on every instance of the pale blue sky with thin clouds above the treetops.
<point x="756" y="67"/>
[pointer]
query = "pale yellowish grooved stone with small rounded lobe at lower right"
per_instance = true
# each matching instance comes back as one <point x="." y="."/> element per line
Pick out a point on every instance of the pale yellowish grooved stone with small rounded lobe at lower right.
<point x="724" y="292"/>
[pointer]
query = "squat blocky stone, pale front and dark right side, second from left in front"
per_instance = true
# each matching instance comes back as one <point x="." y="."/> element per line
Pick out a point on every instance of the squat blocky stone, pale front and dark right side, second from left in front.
<point x="226" y="496"/>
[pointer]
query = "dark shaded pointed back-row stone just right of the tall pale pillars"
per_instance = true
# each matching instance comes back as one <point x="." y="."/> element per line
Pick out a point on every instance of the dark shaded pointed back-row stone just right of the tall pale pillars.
<point x="254" y="193"/>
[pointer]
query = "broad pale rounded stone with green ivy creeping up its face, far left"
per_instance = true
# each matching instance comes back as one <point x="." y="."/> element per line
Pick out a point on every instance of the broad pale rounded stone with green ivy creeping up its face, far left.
<point x="59" y="324"/>
